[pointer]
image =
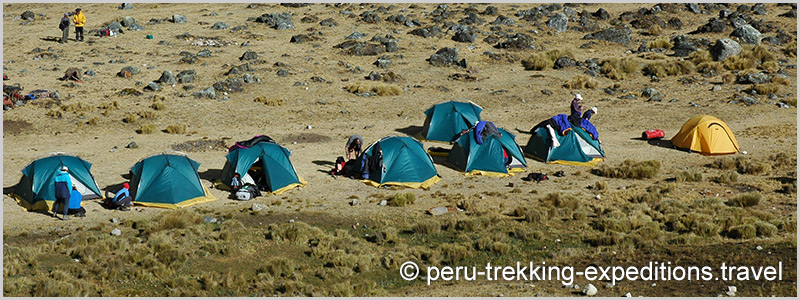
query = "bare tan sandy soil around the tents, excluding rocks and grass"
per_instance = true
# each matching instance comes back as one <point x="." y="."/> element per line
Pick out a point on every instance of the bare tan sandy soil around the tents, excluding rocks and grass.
<point x="30" y="133"/>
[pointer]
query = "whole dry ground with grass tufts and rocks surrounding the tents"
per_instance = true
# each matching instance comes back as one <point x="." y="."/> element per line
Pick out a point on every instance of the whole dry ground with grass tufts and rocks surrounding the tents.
<point x="309" y="87"/>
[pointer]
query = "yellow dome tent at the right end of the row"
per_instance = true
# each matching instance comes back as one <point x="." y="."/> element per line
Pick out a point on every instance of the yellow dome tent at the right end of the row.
<point x="706" y="135"/>
